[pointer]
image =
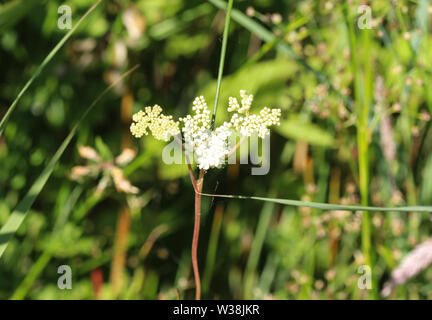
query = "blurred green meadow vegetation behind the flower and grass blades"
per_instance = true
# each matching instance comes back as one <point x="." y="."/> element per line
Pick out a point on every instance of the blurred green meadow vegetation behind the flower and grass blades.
<point x="294" y="55"/>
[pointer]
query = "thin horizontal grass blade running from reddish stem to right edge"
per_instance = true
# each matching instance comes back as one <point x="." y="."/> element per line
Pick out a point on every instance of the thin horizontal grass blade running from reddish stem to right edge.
<point x="325" y="206"/>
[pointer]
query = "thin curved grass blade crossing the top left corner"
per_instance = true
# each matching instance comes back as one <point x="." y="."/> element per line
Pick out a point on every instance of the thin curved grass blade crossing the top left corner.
<point x="42" y="66"/>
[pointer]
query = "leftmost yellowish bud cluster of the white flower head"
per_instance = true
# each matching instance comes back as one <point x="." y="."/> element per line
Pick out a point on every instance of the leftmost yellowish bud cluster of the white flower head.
<point x="162" y="127"/>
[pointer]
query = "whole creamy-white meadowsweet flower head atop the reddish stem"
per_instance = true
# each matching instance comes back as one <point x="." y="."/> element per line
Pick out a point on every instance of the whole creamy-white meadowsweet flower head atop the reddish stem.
<point x="210" y="148"/>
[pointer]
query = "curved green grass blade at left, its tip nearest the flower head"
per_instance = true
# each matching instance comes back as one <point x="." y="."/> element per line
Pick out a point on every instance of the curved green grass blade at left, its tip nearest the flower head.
<point x="20" y="212"/>
